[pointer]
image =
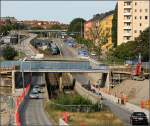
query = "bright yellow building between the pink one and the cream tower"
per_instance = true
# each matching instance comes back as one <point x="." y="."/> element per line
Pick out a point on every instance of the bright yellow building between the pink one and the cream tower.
<point x="105" y="26"/>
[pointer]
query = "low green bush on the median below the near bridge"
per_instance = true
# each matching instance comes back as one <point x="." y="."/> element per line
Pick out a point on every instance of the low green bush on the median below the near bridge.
<point x="74" y="103"/>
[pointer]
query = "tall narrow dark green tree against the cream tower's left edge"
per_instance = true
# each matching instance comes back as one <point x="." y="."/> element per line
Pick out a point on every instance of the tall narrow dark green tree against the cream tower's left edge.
<point x="114" y="26"/>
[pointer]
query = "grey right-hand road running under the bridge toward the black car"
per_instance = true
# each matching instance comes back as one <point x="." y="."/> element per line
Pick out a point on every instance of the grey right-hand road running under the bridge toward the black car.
<point x="118" y="110"/>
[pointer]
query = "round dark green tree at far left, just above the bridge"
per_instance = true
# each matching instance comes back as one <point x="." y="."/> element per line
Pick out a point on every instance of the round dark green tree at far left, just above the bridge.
<point x="9" y="53"/>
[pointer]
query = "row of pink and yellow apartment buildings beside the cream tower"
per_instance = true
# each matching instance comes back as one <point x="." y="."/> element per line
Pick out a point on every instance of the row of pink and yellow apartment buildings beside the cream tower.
<point x="100" y="27"/>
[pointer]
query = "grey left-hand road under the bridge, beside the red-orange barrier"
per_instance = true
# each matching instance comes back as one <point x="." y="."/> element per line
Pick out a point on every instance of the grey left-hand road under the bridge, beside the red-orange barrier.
<point x="33" y="111"/>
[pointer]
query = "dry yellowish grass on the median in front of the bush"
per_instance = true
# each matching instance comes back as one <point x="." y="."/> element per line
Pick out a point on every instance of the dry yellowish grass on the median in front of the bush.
<point x="103" y="118"/>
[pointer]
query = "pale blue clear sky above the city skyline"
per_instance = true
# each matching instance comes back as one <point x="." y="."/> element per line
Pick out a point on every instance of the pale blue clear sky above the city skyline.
<point x="62" y="11"/>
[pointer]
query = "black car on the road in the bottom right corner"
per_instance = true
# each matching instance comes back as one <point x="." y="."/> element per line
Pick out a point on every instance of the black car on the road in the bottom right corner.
<point x="138" y="118"/>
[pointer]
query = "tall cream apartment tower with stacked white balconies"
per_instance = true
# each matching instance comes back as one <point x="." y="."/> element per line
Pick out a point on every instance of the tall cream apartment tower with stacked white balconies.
<point x="133" y="18"/>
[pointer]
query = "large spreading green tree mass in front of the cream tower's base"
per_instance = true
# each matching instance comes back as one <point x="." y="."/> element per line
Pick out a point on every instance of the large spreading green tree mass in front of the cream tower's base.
<point x="131" y="49"/>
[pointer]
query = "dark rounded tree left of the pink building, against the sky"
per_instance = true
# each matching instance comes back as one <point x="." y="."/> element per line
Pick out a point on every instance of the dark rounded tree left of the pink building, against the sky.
<point x="76" y="25"/>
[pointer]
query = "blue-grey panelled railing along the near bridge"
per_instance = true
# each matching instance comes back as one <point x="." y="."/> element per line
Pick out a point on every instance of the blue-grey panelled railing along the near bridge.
<point x="36" y="65"/>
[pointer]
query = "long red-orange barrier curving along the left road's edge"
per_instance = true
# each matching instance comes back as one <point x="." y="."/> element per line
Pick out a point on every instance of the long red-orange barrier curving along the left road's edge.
<point x="19" y="100"/>
